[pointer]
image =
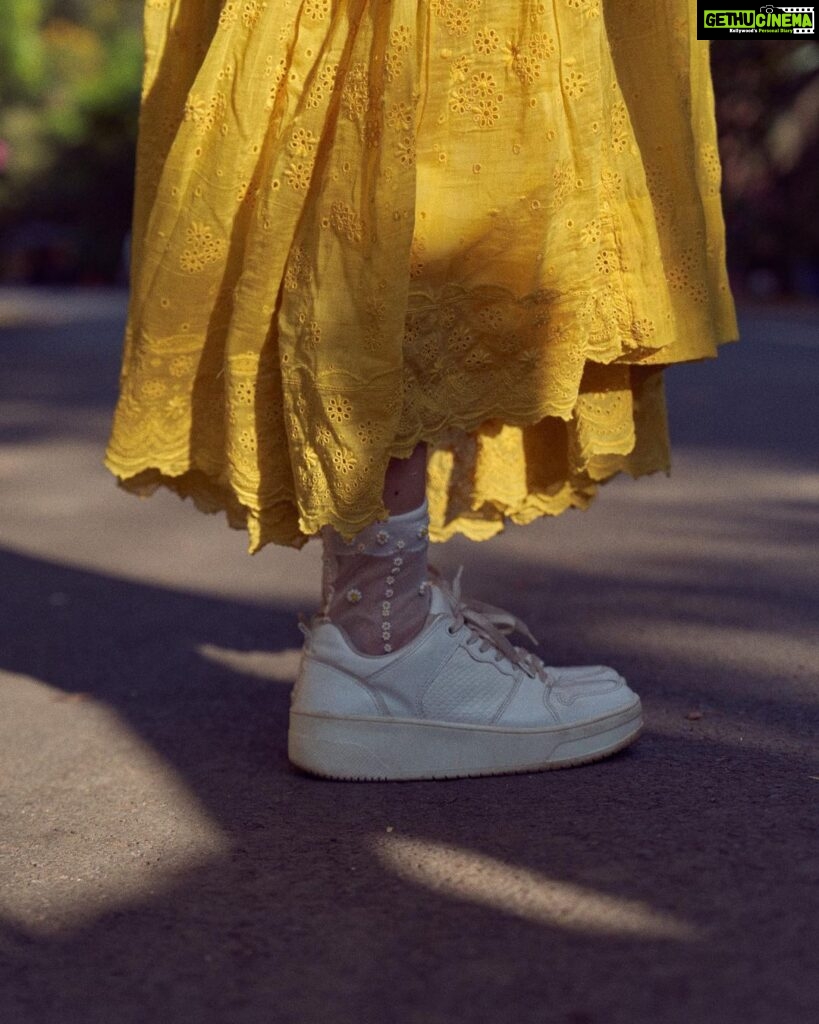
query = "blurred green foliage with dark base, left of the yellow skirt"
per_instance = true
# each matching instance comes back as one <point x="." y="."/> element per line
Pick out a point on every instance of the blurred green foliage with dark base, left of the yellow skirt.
<point x="70" y="75"/>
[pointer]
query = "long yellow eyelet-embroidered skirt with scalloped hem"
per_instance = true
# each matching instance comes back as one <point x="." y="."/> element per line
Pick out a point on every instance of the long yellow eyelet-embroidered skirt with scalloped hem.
<point x="484" y="225"/>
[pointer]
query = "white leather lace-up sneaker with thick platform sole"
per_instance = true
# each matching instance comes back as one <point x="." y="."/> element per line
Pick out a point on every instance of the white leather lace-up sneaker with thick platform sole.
<point x="458" y="701"/>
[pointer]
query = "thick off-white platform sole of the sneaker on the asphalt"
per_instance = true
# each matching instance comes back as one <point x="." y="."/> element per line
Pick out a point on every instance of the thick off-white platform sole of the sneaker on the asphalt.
<point x="382" y="750"/>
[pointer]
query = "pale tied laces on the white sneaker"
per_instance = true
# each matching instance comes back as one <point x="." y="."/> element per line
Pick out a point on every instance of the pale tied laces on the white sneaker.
<point x="490" y="627"/>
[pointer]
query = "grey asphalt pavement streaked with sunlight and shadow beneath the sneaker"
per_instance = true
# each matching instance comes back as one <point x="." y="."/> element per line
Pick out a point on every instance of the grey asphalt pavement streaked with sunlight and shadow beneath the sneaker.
<point x="160" y="862"/>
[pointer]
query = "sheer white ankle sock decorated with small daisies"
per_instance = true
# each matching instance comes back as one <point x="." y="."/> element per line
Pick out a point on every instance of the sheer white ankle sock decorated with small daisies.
<point x="375" y="587"/>
